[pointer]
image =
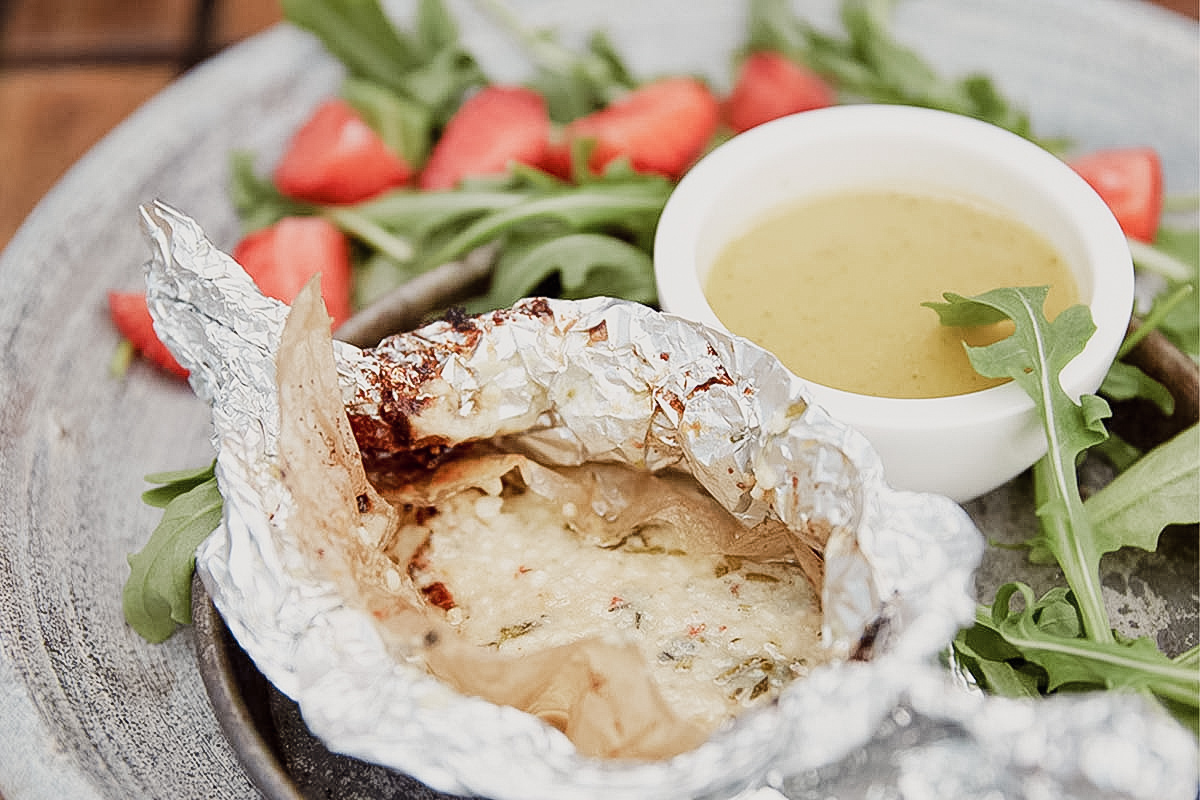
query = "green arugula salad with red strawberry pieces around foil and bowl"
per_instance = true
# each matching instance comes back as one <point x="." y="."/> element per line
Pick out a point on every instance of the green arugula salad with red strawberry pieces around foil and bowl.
<point x="569" y="194"/>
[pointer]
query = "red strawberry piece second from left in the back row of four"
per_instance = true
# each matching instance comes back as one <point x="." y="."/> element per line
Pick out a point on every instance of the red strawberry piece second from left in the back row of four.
<point x="495" y="128"/>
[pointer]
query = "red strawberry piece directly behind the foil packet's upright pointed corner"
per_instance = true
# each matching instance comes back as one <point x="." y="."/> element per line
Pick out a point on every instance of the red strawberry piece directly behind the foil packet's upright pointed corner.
<point x="284" y="257"/>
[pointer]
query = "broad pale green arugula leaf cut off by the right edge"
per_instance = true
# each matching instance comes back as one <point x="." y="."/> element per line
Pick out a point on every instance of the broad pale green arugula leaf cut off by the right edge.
<point x="1160" y="490"/>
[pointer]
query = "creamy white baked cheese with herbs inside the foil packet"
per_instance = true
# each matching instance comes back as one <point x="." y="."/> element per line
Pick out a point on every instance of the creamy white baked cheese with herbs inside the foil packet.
<point x="718" y="634"/>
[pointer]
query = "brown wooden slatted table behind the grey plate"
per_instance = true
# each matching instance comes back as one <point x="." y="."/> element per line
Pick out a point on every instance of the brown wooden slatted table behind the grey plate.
<point x="70" y="70"/>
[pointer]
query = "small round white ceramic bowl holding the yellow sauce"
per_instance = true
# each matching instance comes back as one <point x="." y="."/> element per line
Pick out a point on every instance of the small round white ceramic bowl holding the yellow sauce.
<point x="961" y="447"/>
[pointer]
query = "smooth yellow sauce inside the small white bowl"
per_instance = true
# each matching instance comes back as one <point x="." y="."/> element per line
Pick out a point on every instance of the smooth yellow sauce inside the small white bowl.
<point x="835" y="288"/>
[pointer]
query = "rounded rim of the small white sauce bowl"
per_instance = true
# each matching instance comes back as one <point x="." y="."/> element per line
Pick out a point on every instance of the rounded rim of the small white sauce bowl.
<point x="1111" y="303"/>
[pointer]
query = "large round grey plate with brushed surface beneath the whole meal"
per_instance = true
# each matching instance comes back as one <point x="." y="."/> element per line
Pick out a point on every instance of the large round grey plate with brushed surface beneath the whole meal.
<point x="87" y="709"/>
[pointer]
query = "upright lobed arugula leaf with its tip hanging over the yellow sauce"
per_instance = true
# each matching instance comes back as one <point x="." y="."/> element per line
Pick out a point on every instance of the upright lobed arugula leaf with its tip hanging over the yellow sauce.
<point x="1034" y="356"/>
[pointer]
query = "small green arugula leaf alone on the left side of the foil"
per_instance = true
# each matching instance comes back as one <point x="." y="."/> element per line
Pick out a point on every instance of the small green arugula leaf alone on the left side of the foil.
<point x="159" y="592"/>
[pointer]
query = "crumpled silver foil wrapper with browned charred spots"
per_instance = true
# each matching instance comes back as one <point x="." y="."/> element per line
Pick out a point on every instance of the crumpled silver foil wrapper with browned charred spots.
<point x="569" y="382"/>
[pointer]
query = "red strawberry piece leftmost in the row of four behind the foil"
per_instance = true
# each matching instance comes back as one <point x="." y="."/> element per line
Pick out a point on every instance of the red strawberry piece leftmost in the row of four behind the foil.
<point x="337" y="158"/>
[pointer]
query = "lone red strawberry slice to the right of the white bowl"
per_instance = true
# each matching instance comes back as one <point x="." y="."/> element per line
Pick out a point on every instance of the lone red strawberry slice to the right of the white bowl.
<point x="1130" y="181"/>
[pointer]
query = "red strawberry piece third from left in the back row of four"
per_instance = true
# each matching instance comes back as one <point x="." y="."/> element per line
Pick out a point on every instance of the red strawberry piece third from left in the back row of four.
<point x="663" y="128"/>
